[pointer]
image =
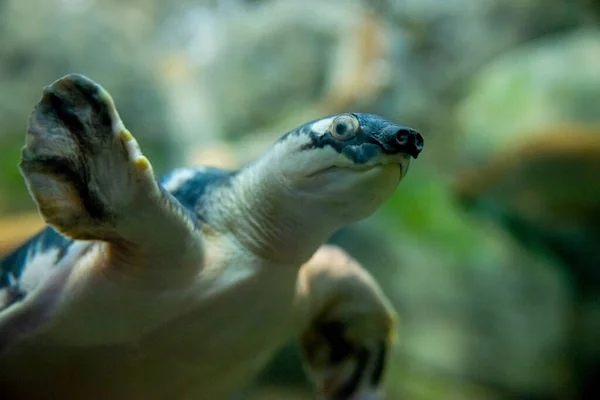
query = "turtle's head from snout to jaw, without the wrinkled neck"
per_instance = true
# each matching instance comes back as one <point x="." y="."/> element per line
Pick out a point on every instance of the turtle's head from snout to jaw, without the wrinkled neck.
<point x="348" y="163"/>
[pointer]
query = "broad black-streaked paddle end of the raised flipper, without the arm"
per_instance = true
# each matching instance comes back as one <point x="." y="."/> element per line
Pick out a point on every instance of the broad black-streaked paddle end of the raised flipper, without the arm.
<point x="82" y="166"/>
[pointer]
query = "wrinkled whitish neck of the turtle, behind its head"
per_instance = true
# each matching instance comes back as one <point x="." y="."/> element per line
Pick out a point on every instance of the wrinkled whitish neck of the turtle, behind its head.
<point x="268" y="217"/>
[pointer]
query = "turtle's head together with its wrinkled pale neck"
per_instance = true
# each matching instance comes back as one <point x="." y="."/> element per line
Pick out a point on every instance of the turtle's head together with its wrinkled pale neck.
<point x="317" y="178"/>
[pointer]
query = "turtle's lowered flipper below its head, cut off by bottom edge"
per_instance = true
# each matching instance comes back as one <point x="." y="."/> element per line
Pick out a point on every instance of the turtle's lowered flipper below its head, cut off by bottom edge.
<point x="348" y="326"/>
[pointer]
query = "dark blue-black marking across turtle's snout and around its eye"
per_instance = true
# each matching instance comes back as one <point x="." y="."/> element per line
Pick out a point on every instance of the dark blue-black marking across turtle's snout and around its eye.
<point x="375" y="136"/>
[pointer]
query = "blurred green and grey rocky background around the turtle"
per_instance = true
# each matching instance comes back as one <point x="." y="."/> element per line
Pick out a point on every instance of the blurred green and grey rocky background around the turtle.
<point x="490" y="250"/>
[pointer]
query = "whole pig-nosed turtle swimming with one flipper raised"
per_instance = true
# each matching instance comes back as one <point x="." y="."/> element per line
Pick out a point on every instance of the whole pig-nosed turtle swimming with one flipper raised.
<point x="183" y="288"/>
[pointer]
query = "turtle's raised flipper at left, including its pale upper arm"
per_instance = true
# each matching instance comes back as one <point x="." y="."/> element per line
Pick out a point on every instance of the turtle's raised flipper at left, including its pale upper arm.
<point x="90" y="179"/>
